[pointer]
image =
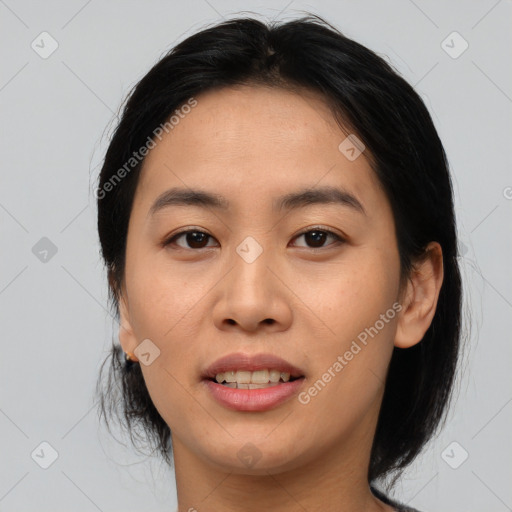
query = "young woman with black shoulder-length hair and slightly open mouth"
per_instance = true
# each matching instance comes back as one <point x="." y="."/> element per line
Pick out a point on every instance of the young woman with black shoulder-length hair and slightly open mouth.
<point x="275" y="213"/>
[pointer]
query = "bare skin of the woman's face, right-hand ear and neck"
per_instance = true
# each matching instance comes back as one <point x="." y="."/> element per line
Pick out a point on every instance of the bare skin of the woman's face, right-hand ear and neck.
<point x="252" y="144"/>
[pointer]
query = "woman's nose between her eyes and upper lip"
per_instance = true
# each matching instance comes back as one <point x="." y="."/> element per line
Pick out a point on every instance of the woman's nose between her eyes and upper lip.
<point x="252" y="296"/>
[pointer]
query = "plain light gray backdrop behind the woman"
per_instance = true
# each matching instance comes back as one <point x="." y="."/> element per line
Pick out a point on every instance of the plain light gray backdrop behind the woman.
<point x="57" y="113"/>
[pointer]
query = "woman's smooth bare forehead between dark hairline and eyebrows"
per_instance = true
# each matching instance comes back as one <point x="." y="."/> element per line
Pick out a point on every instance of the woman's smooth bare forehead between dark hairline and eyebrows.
<point x="251" y="140"/>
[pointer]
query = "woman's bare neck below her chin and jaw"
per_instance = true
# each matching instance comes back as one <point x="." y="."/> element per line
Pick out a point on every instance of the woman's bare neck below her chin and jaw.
<point x="333" y="479"/>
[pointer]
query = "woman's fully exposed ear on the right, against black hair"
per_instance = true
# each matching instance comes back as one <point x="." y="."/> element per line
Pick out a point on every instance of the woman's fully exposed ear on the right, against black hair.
<point x="421" y="294"/>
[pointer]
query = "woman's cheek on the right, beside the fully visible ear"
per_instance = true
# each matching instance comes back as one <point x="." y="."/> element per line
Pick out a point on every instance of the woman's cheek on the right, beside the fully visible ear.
<point x="360" y="315"/>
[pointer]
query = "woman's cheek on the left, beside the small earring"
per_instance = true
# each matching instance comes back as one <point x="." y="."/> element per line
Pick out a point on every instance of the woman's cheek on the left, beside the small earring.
<point x="164" y="304"/>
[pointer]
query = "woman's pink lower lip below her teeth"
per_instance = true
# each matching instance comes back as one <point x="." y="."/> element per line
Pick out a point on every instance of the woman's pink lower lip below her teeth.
<point x="253" y="399"/>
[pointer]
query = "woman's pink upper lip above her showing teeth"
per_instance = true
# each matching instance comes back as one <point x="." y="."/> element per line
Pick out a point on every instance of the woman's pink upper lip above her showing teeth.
<point x="248" y="362"/>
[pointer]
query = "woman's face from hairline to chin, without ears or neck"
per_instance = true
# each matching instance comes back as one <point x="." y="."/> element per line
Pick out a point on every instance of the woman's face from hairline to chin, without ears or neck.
<point x="262" y="279"/>
